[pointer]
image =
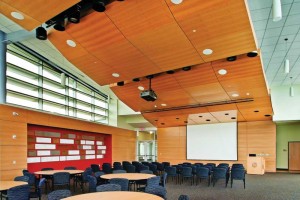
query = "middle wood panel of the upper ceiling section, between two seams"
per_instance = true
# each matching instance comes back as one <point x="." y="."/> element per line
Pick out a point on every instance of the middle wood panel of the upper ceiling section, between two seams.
<point x="151" y="28"/>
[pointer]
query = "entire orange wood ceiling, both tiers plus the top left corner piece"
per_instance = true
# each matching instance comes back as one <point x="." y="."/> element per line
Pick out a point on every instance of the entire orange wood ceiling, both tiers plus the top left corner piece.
<point x="136" y="38"/>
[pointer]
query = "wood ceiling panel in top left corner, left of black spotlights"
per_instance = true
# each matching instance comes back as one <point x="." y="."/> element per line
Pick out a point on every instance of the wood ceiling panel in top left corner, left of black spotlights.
<point x="35" y="12"/>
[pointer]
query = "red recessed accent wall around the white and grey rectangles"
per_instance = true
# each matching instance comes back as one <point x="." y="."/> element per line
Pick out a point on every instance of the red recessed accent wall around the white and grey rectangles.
<point x="80" y="164"/>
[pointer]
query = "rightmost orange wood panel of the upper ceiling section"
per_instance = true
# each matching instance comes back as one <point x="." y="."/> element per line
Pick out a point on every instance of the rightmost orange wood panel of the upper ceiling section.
<point x="223" y="26"/>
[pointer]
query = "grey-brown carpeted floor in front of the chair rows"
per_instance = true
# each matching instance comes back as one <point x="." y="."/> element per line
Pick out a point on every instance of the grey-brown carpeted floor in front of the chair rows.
<point x="271" y="186"/>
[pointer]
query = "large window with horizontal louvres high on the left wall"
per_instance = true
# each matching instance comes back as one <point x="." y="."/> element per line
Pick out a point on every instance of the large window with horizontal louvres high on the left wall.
<point x="33" y="83"/>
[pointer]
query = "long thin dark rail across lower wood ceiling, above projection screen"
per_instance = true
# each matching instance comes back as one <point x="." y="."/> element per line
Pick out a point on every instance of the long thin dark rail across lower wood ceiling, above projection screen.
<point x="200" y="105"/>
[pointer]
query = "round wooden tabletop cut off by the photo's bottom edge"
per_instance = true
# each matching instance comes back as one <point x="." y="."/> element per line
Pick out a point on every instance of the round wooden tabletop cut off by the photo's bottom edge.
<point x="116" y="195"/>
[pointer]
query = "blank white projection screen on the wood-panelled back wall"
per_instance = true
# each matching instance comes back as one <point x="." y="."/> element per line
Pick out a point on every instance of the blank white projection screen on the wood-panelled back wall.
<point x="212" y="141"/>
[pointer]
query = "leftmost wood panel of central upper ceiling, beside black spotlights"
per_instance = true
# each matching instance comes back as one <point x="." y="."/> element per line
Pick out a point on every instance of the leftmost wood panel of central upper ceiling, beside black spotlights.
<point x="101" y="38"/>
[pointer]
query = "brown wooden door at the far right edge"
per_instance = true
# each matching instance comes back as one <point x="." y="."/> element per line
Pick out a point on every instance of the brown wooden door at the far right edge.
<point x="294" y="156"/>
